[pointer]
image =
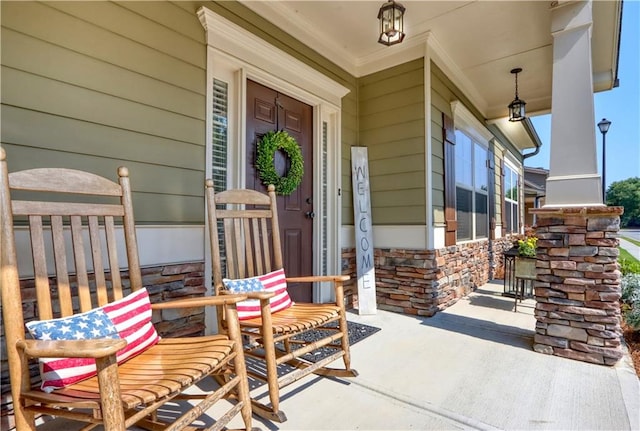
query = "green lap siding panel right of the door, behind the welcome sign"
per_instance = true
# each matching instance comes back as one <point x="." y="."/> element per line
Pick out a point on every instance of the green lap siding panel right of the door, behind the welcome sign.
<point x="392" y="127"/>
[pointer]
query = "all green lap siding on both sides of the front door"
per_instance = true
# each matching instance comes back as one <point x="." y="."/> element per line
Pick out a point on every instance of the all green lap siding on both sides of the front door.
<point x="96" y="85"/>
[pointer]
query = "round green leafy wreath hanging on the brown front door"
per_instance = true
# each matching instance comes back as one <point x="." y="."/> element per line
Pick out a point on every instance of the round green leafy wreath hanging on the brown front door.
<point x="279" y="141"/>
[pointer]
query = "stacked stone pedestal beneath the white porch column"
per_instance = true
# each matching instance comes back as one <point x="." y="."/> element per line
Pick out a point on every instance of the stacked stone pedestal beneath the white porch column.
<point x="578" y="284"/>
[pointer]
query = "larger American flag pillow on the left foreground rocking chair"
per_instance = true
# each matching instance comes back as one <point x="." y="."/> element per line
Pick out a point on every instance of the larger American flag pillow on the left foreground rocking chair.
<point x="128" y="318"/>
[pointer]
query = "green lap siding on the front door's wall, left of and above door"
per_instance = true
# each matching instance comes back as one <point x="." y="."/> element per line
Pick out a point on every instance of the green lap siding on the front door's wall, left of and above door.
<point x="97" y="85"/>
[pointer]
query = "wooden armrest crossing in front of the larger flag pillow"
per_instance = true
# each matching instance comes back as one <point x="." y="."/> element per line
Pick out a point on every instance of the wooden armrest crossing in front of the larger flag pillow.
<point x="96" y="348"/>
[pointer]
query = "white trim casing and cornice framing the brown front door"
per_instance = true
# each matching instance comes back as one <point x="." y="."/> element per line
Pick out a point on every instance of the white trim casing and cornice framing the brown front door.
<point x="235" y="55"/>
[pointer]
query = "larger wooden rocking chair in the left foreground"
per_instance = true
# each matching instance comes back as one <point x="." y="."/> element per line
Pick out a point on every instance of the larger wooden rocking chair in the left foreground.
<point x="80" y="235"/>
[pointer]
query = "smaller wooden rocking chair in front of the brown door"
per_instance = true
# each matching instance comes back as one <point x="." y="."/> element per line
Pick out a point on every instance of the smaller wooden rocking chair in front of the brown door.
<point x="248" y="220"/>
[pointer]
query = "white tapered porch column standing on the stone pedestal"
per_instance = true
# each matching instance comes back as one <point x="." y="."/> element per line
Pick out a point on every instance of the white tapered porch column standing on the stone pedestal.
<point x="573" y="176"/>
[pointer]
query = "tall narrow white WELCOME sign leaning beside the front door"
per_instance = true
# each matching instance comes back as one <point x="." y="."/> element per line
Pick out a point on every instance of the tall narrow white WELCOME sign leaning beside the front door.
<point x="364" y="234"/>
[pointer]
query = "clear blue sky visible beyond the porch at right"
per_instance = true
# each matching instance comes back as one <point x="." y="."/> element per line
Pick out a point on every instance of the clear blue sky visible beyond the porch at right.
<point x="620" y="105"/>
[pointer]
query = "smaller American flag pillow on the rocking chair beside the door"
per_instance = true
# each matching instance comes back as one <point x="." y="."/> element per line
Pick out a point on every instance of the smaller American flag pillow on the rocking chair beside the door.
<point x="272" y="282"/>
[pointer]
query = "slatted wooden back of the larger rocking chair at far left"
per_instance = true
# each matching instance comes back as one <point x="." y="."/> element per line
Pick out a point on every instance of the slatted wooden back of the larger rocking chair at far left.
<point x="66" y="236"/>
